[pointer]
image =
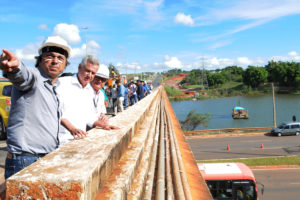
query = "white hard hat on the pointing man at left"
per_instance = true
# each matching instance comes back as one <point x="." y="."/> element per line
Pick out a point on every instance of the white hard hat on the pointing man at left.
<point x="57" y="44"/>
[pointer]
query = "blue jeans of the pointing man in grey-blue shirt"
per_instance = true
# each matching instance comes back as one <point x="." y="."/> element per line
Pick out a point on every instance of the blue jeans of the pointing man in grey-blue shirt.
<point x="17" y="163"/>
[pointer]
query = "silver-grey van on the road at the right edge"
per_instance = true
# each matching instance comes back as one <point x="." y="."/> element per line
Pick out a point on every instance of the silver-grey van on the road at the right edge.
<point x="287" y="128"/>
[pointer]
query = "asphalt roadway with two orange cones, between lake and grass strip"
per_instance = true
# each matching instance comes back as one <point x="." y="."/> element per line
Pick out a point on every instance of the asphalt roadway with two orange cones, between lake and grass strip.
<point x="244" y="147"/>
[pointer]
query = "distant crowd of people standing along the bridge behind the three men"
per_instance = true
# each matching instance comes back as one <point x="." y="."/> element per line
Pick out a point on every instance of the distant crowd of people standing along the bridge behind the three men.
<point x="120" y="96"/>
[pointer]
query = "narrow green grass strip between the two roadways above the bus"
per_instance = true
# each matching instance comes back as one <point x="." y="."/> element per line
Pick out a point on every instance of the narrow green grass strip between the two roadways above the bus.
<point x="285" y="160"/>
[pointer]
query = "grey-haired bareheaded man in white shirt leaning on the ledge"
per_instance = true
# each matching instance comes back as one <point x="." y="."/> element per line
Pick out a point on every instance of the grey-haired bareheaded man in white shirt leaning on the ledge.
<point x="76" y="94"/>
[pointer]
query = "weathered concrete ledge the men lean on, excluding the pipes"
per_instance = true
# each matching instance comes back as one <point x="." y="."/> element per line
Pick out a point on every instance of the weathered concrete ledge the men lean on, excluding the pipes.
<point x="78" y="169"/>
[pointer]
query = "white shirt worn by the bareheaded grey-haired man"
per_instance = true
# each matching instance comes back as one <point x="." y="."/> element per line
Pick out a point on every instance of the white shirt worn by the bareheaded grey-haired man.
<point x="77" y="105"/>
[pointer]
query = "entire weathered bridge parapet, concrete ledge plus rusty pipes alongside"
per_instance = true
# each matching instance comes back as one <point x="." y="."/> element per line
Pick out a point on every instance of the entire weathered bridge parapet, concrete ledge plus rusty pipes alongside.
<point x="146" y="158"/>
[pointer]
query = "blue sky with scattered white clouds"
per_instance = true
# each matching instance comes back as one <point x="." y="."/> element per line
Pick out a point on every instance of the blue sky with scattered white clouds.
<point x="157" y="35"/>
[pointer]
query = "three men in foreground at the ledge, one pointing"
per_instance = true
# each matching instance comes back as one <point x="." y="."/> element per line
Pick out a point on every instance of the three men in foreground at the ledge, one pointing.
<point x="47" y="110"/>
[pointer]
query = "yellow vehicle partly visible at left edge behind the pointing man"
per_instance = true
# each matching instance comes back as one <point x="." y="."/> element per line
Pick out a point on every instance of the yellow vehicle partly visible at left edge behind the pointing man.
<point x="5" y="94"/>
